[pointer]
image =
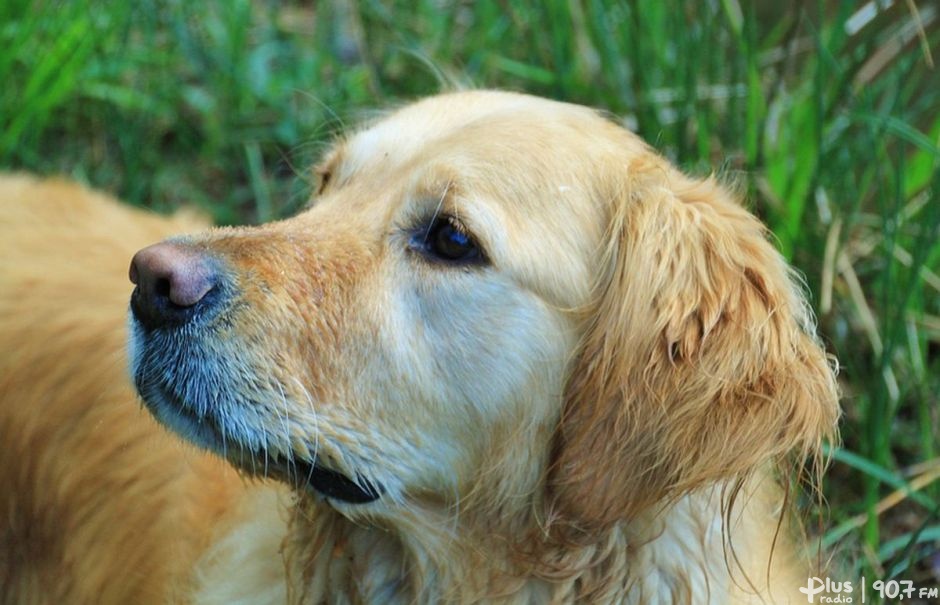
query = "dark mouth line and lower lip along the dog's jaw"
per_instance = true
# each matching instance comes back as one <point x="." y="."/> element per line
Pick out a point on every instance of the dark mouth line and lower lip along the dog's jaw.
<point x="300" y="473"/>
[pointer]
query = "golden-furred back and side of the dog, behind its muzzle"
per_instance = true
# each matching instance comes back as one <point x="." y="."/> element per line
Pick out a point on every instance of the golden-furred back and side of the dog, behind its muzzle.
<point x="98" y="503"/>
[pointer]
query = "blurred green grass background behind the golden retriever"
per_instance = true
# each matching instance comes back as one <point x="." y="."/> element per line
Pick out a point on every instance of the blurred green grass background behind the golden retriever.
<point x="826" y="112"/>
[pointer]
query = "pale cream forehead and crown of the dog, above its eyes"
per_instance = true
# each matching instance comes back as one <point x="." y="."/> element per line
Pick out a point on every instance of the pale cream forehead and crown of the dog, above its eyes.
<point x="518" y="147"/>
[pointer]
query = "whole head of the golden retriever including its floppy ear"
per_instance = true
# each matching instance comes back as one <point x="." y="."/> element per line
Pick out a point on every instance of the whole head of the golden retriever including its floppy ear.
<point x="491" y="297"/>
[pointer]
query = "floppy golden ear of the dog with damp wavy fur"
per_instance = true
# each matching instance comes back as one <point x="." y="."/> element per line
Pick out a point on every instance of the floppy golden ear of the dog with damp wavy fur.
<point x="699" y="363"/>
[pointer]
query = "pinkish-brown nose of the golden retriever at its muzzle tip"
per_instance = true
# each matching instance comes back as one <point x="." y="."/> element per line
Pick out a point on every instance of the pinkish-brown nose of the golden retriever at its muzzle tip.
<point x="172" y="280"/>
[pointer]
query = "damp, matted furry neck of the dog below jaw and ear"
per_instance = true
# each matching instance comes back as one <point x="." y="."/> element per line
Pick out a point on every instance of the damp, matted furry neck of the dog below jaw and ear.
<point x="423" y="557"/>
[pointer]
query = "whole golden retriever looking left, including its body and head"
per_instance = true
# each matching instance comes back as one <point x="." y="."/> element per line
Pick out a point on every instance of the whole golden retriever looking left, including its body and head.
<point x="508" y="354"/>
